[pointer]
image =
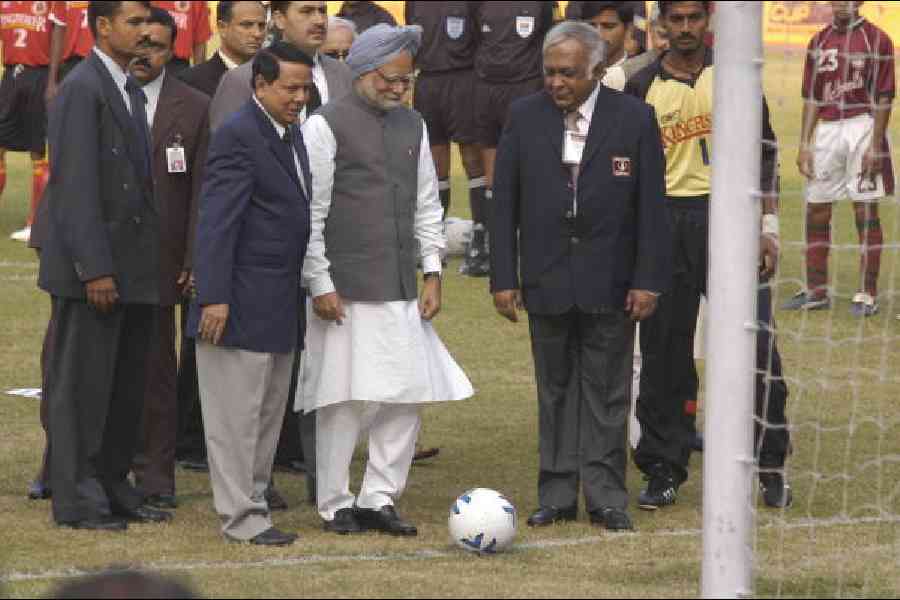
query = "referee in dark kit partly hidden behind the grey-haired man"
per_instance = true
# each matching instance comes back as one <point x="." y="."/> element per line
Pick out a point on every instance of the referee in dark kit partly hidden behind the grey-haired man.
<point x="508" y="66"/>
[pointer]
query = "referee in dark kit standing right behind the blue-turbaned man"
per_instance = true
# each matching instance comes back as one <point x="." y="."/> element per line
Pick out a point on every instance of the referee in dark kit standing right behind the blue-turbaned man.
<point x="443" y="95"/>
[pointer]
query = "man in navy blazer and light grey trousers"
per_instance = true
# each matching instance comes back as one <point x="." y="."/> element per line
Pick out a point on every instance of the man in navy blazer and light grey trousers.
<point x="251" y="241"/>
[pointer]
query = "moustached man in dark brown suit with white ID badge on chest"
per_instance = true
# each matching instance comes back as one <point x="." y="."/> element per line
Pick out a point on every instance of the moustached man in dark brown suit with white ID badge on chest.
<point x="178" y="118"/>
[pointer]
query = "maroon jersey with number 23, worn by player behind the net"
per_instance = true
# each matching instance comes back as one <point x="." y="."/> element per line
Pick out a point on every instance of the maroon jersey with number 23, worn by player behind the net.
<point x="848" y="71"/>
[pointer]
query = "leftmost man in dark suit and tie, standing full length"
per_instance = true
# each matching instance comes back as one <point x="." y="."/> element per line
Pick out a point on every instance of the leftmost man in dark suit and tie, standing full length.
<point x="100" y="264"/>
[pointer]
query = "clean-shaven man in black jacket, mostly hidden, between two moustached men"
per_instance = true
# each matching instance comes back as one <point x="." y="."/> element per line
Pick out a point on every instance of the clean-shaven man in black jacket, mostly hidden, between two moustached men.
<point x="242" y="30"/>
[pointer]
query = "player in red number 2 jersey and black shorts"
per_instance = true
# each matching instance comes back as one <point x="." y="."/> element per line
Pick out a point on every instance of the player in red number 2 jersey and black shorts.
<point x="25" y="34"/>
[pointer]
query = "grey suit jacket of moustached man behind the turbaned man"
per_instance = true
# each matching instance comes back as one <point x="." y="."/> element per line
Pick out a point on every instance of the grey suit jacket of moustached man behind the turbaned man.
<point x="236" y="89"/>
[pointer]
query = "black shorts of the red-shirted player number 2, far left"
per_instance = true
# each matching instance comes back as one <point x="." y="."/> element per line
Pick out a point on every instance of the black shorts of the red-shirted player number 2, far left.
<point x="23" y="110"/>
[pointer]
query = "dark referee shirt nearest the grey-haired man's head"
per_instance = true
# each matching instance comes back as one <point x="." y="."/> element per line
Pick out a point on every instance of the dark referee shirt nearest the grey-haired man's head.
<point x="511" y="39"/>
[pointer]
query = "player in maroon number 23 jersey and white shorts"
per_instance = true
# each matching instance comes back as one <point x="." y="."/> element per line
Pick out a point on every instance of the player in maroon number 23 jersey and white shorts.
<point x="848" y="88"/>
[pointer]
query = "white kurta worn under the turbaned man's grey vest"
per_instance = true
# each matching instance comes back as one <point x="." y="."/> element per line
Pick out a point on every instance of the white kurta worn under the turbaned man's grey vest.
<point x="382" y="352"/>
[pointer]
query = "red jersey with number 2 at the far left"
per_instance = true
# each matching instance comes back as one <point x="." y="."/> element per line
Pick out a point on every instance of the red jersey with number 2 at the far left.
<point x="25" y="32"/>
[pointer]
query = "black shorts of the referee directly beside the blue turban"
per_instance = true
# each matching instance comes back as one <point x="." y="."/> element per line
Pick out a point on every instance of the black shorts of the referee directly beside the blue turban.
<point x="445" y="102"/>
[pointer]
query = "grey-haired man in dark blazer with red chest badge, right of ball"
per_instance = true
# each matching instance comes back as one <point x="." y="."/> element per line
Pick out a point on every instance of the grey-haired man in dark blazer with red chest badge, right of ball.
<point x="580" y="212"/>
